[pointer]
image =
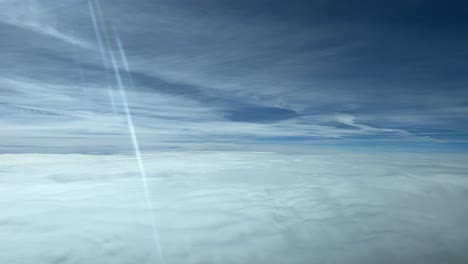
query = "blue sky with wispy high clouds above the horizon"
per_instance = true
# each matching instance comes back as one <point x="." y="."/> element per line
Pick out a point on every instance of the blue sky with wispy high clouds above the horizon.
<point x="78" y="76"/>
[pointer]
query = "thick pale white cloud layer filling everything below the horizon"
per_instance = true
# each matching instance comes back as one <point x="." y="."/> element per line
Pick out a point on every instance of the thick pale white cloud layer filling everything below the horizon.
<point x="260" y="207"/>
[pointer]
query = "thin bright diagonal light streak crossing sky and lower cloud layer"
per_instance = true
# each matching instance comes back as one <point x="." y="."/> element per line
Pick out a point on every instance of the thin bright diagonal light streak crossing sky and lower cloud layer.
<point x="128" y="115"/>
